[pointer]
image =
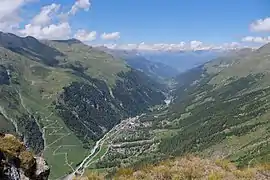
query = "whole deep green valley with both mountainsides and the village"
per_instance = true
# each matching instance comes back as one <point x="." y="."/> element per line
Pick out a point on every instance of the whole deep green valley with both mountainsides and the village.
<point x="89" y="110"/>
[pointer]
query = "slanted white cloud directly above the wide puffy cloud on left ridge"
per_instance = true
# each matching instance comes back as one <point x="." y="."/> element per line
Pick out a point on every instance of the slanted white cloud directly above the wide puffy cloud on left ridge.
<point x="46" y="15"/>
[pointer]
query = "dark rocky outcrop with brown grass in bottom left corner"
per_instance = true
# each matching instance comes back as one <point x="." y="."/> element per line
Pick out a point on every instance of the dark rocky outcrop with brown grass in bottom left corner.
<point x="16" y="163"/>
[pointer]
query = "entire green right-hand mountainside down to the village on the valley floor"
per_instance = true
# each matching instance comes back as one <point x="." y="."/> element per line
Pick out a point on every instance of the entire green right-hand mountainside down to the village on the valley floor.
<point x="220" y="110"/>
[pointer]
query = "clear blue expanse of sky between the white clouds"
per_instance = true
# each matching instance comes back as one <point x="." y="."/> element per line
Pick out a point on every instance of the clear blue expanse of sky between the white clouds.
<point x="172" y="21"/>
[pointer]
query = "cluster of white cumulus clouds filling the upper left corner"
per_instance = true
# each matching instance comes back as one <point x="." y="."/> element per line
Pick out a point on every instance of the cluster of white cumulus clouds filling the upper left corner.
<point x="49" y="23"/>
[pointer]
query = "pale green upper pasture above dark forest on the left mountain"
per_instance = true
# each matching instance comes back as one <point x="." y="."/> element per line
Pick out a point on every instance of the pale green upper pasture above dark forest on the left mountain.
<point x="100" y="64"/>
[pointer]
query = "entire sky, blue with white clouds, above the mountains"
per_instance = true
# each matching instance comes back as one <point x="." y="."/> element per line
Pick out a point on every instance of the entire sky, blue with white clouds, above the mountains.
<point x="142" y="24"/>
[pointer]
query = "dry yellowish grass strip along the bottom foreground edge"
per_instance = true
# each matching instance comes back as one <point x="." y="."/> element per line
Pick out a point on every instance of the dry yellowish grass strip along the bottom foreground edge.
<point x="188" y="167"/>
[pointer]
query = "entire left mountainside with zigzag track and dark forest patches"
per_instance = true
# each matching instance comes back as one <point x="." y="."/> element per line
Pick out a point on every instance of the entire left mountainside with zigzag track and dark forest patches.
<point x="61" y="96"/>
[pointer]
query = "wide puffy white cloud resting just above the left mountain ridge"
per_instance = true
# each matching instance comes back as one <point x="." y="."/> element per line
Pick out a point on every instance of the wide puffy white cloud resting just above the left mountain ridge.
<point x="52" y="31"/>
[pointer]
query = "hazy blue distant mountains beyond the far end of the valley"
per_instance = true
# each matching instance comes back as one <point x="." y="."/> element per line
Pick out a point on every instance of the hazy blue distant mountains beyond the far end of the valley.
<point x="166" y="63"/>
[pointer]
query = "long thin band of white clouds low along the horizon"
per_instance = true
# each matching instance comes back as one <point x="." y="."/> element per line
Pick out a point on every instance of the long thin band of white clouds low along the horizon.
<point x="182" y="46"/>
